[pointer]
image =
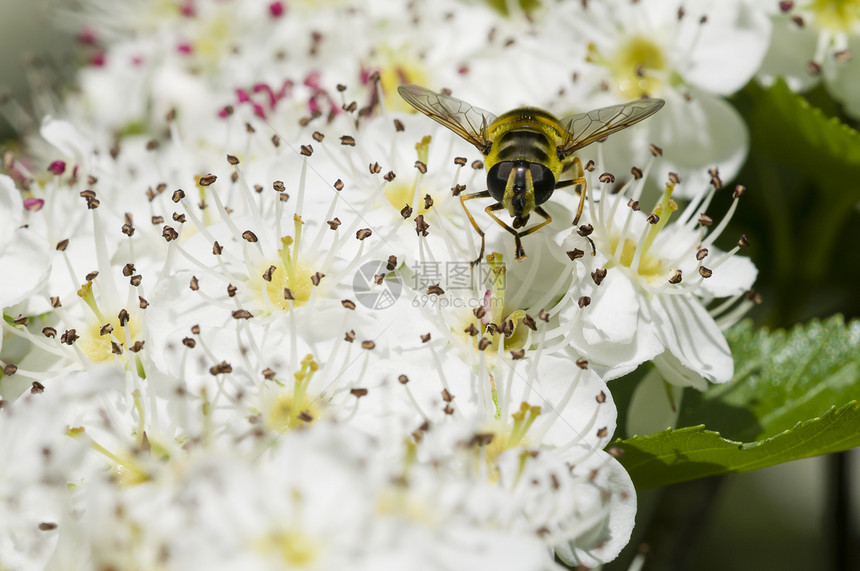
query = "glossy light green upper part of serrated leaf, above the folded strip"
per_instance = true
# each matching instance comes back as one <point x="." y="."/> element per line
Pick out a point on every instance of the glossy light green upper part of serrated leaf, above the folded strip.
<point x="781" y="378"/>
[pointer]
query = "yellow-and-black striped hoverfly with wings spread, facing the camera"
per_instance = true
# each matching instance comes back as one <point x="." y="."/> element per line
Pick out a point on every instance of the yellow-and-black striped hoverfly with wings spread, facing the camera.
<point x="528" y="153"/>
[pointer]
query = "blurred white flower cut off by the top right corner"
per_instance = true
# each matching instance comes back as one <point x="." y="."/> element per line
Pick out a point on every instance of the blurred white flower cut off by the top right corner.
<point x="816" y="40"/>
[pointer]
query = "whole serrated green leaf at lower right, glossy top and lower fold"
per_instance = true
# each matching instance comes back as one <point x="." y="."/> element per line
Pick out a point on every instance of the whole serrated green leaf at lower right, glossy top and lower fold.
<point x="794" y="395"/>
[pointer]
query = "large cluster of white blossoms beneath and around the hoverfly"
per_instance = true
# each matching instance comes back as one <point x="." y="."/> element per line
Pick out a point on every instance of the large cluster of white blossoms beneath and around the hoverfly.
<point x="243" y="329"/>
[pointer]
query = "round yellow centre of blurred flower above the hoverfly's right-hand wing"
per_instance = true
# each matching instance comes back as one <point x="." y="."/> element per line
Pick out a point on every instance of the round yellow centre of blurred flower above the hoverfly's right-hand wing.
<point x="633" y="67"/>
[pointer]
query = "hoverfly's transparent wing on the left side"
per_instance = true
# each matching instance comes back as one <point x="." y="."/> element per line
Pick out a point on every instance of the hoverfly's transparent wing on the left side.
<point x="464" y="119"/>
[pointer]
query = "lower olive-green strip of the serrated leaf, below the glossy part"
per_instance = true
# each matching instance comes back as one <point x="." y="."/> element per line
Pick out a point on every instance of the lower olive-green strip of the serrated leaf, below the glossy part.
<point x="677" y="455"/>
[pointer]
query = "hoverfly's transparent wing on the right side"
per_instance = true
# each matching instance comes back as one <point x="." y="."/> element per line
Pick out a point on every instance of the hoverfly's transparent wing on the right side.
<point x="585" y="128"/>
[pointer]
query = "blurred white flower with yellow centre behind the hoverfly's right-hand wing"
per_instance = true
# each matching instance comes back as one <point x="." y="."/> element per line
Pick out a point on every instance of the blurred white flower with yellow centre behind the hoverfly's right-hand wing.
<point x="692" y="54"/>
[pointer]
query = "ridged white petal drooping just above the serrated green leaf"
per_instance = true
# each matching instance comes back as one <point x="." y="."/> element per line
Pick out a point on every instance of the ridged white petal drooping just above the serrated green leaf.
<point x="691" y="335"/>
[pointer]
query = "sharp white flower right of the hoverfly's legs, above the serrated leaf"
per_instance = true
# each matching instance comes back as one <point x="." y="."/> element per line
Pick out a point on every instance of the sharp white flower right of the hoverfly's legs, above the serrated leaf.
<point x="651" y="279"/>
